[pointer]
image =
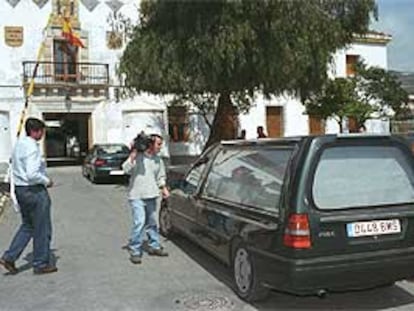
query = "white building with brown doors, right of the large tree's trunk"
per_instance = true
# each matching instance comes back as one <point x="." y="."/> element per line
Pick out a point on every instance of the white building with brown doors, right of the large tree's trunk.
<point x="285" y="115"/>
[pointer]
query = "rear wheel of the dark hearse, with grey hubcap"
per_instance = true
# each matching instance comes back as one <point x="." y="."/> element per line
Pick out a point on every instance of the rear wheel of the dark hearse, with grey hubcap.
<point x="247" y="284"/>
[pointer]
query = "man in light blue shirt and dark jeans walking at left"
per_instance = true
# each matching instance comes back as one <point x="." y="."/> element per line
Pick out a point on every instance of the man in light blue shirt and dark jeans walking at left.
<point x="31" y="181"/>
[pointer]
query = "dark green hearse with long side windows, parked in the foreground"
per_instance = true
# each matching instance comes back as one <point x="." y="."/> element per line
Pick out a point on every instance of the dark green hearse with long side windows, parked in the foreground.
<point x="304" y="215"/>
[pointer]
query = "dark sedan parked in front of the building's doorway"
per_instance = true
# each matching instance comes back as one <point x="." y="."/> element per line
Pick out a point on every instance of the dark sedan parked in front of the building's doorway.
<point x="104" y="161"/>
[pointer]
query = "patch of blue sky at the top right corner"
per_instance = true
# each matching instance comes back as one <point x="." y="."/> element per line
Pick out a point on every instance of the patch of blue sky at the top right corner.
<point x="396" y="17"/>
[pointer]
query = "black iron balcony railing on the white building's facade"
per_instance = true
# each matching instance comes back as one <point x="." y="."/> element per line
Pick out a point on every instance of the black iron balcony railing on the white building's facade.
<point x="60" y="73"/>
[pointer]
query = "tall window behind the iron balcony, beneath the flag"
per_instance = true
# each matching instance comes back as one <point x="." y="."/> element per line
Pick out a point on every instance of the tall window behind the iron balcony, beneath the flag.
<point x="65" y="60"/>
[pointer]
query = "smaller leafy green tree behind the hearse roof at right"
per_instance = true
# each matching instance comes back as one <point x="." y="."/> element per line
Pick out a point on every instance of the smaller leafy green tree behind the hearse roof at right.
<point x="372" y="93"/>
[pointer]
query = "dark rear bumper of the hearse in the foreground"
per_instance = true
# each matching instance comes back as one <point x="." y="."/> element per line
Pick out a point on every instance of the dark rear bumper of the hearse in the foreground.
<point x="334" y="273"/>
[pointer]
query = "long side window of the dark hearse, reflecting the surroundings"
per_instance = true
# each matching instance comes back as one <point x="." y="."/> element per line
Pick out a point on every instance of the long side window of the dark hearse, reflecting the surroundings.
<point x="251" y="177"/>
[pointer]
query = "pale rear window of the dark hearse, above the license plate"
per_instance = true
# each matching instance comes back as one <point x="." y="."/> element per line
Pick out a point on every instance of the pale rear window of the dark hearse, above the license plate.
<point x="361" y="176"/>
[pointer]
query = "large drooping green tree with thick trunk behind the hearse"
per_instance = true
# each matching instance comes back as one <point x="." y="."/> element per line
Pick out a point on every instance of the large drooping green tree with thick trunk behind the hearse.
<point x="234" y="49"/>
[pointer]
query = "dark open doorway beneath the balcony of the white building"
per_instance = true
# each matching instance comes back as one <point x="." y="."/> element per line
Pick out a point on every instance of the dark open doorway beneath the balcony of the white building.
<point x="67" y="135"/>
